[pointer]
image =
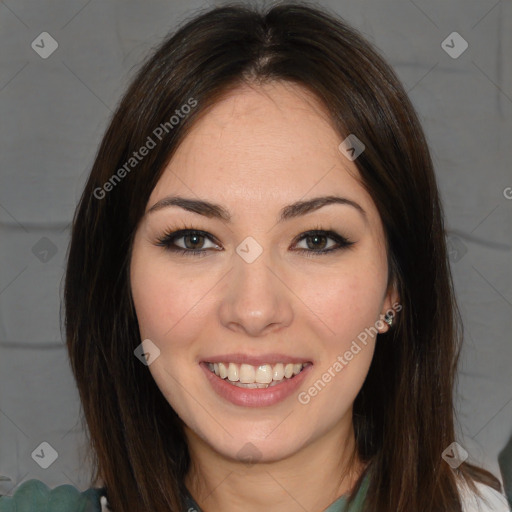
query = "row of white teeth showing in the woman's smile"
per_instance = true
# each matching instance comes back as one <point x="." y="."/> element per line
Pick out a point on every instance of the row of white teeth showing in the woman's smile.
<point x="252" y="377"/>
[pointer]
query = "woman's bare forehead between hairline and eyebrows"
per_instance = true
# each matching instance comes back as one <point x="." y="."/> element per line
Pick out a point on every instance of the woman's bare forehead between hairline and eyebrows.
<point x="264" y="145"/>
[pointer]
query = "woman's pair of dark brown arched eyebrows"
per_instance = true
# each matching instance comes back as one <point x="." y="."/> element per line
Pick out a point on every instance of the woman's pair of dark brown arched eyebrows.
<point x="217" y="211"/>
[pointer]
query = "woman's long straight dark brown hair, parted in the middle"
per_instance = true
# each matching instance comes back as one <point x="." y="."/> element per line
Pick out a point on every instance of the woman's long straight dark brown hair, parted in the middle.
<point x="404" y="414"/>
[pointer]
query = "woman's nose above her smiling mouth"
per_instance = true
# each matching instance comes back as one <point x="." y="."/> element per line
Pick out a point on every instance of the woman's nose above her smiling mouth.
<point x="256" y="299"/>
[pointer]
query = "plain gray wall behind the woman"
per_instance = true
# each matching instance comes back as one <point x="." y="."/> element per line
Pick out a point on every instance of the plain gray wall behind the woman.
<point x="53" y="113"/>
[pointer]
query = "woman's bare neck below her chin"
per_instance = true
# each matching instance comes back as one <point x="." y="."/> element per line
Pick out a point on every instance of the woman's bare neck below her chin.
<point x="310" y="479"/>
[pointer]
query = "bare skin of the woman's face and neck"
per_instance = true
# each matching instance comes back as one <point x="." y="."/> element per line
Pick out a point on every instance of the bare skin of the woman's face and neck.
<point x="257" y="150"/>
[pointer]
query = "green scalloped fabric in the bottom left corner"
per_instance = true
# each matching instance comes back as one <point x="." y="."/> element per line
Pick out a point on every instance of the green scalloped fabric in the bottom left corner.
<point x="35" y="496"/>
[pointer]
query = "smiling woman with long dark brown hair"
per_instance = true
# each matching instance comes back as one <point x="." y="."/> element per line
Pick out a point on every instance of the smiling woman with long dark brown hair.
<point x="259" y="308"/>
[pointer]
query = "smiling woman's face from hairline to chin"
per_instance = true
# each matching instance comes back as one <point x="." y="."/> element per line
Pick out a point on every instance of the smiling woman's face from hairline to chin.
<point x="260" y="296"/>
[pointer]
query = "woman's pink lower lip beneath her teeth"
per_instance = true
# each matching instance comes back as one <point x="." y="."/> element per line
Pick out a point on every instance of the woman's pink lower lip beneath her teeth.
<point x="261" y="397"/>
